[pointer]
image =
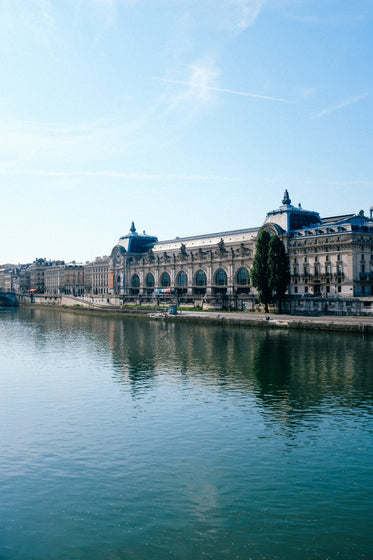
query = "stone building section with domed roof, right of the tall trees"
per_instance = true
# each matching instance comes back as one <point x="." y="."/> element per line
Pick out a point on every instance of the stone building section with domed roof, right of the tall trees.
<point x="329" y="256"/>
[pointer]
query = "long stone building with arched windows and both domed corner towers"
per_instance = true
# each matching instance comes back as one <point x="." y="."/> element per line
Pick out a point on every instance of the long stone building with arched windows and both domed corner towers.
<point x="330" y="257"/>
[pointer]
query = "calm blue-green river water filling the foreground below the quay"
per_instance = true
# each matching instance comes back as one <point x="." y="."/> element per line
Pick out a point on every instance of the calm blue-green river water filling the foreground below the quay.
<point x="123" y="438"/>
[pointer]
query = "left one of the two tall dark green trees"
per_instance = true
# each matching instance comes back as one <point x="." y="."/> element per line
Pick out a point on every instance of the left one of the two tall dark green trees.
<point x="260" y="273"/>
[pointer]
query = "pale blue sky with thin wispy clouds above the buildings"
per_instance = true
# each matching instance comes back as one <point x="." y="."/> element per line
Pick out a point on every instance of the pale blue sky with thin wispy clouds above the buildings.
<point x="185" y="116"/>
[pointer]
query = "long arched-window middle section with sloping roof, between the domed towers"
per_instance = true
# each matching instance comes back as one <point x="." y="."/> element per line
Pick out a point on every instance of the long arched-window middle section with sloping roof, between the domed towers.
<point x="209" y="266"/>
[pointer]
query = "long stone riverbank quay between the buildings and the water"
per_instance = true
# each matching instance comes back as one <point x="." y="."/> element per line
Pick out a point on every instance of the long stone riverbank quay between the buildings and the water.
<point x="245" y="319"/>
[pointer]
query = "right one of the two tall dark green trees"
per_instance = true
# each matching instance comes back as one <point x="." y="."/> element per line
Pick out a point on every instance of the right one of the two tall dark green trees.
<point x="278" y="264"/>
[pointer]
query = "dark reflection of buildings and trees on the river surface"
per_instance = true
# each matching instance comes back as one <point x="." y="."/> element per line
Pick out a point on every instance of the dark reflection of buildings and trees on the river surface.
<point x="284" y="373"/>
